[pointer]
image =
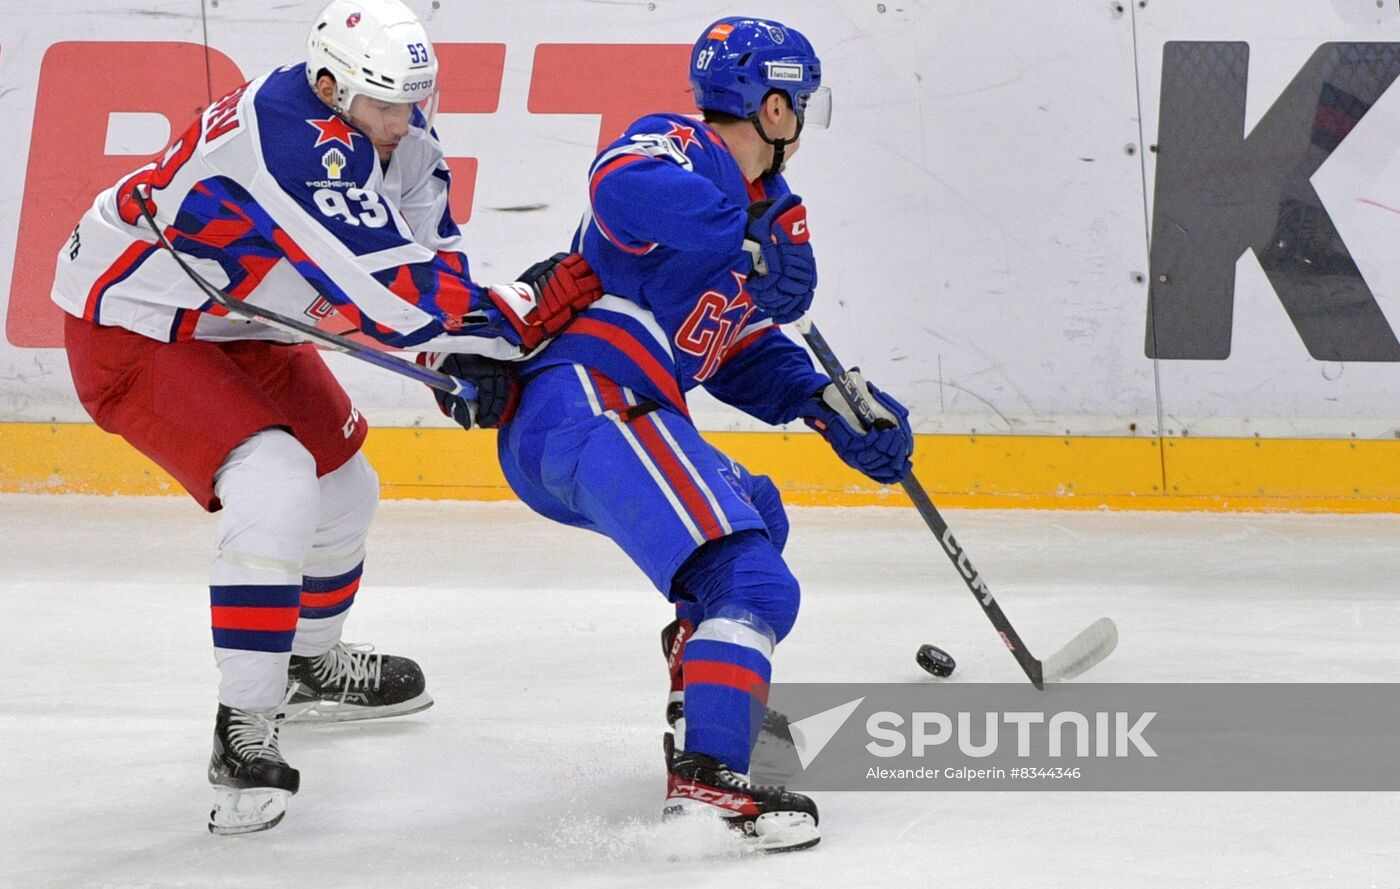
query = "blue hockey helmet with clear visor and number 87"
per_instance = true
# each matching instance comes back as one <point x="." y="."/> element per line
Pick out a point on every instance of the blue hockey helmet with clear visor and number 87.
<point x="741" y="61"/>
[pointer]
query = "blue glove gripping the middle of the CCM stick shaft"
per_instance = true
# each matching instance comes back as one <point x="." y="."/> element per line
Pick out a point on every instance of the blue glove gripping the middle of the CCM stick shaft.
<point x="883" y="454"/>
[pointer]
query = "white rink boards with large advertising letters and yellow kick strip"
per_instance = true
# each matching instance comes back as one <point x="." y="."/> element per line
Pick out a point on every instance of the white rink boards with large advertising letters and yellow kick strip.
<point x="1011" y="234"/>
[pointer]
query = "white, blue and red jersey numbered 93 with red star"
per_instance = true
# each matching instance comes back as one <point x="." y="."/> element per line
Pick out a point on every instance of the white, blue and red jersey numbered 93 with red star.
<point x="281" y="202"/>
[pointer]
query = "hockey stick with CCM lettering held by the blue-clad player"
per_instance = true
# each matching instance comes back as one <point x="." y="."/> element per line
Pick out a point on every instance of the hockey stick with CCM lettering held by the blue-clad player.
<point x="1095" y="643"/>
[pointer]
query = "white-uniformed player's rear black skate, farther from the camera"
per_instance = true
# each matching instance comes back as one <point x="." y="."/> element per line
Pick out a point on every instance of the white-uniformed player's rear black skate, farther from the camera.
<point x="352" y="682"/>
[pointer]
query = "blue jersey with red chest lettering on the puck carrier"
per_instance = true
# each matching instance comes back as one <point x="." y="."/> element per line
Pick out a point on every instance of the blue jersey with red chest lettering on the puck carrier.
<point x="668" y="209"/>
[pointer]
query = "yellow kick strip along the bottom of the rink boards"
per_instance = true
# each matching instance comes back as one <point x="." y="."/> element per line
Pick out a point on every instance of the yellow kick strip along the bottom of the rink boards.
<point x="961" y="471"/>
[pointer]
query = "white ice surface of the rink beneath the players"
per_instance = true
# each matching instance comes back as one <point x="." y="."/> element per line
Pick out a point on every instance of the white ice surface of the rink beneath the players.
<point x="541" y="764"/>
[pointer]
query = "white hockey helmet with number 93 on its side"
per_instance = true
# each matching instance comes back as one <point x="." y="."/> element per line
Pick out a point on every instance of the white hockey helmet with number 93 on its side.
<point x="373" y="48"/>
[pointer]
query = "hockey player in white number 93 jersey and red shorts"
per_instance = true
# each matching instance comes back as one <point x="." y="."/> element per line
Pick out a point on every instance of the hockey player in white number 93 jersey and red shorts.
<point x="318" y="192"/>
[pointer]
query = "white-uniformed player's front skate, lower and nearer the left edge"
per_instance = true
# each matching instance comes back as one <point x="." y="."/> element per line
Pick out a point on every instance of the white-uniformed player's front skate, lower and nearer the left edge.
<point x="250" y="776"/>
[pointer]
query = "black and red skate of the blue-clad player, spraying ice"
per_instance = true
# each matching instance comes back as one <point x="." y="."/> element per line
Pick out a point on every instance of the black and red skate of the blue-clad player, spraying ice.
<point x="771" y="818"/>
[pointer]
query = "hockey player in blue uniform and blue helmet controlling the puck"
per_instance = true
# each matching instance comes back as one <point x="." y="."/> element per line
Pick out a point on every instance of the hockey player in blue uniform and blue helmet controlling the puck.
<point x="603" y="437"/>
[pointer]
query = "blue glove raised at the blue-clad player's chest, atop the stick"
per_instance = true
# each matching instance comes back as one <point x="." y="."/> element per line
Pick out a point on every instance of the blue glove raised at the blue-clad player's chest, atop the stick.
<point x="785" y="271"/>
